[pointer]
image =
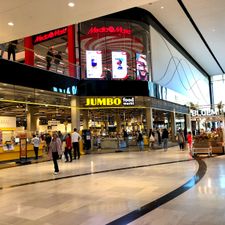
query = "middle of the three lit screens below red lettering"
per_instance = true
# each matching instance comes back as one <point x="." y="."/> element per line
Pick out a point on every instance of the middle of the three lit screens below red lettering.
<point x="119" y="65"/>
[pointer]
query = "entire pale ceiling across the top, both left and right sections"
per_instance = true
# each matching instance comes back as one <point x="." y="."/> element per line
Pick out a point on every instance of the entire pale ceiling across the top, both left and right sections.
<point x="36" y="16"/>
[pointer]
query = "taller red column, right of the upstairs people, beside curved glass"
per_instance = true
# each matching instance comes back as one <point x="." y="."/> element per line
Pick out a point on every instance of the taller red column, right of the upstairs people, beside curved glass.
<point x="71" y="50"/>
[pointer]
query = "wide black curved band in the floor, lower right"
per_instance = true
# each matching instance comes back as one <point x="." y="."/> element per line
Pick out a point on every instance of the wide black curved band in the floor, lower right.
<point x="164" y="199"/>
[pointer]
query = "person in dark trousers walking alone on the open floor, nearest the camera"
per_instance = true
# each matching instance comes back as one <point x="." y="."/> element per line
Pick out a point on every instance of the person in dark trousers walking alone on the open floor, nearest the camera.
<point x="55" y="150"/>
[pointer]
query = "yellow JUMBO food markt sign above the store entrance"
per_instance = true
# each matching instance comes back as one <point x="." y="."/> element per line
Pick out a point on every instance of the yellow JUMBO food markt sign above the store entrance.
<point x="126" y="101"/>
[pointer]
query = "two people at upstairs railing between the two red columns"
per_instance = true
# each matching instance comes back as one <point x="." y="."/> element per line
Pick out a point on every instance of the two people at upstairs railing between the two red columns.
<point x="55" y="56"/>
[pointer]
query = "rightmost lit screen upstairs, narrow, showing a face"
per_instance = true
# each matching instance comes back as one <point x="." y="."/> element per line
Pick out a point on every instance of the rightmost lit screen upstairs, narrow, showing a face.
<point x="141" y="67"/>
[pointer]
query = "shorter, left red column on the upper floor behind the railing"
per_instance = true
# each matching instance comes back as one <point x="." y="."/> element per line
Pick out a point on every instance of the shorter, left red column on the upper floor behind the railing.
<point x="29" y="51"/>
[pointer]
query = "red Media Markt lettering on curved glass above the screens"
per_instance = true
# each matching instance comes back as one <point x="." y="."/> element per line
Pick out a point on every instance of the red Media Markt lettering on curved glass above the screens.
<point x="110" y="29"/>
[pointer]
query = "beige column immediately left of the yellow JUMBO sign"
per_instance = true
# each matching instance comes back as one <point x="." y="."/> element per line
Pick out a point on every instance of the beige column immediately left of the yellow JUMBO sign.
<point x="75" y="113"/>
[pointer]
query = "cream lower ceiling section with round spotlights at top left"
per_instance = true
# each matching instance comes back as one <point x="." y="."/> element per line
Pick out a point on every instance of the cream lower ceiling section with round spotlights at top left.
<point x="32" y="17"/>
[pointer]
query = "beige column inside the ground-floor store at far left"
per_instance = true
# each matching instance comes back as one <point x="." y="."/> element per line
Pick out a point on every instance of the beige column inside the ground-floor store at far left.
<point x="32" y="119"/>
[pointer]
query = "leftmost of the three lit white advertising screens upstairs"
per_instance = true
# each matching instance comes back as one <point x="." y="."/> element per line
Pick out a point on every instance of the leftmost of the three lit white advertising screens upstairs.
<point x="94" y="64"/>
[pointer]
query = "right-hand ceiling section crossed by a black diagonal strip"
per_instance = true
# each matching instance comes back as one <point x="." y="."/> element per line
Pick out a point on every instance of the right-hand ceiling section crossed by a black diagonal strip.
<point x="209" y="17"/>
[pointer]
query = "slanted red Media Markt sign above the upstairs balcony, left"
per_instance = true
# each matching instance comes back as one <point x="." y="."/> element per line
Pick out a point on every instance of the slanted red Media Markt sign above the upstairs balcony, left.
<point x="49" y="35"/>
